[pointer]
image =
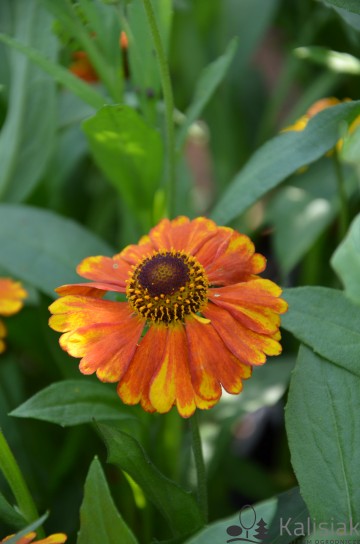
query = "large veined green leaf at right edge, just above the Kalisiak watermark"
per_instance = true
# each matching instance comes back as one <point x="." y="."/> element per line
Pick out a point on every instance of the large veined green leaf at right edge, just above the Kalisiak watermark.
<point x="324" y="436"/>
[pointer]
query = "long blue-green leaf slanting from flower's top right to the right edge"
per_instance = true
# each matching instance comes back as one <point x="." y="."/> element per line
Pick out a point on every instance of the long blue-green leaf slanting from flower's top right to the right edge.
<point x="280" y="157"/>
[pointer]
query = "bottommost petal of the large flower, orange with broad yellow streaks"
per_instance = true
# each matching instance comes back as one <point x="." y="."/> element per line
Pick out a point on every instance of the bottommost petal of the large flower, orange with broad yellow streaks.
<point x="171" y="383"/>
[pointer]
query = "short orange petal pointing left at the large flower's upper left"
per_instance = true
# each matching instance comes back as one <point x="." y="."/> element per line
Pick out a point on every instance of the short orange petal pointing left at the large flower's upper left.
<point x="105" y="270"/>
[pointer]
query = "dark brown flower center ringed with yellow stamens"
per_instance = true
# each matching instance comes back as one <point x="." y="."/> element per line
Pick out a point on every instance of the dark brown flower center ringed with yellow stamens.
<point x="167" y="286"/>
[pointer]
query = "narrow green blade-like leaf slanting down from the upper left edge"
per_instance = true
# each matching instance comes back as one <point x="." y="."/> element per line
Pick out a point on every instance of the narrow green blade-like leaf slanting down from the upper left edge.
<point x="59" y="73"/>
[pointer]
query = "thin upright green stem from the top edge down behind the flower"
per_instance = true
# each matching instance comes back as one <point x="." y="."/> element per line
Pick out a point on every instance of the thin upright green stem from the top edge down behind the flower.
<point x="169" y="105"/>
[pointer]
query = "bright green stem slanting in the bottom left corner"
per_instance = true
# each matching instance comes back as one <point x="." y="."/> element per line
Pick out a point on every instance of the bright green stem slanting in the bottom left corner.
<point x="13" y="476"/>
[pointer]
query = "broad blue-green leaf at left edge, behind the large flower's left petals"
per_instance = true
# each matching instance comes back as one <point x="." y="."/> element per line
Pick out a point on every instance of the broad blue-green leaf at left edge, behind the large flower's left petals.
<point x="43" y="248"/>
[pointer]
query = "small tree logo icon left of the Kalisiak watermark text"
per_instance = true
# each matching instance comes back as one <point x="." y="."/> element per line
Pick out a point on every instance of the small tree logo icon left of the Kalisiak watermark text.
<point x="248" y="530"/>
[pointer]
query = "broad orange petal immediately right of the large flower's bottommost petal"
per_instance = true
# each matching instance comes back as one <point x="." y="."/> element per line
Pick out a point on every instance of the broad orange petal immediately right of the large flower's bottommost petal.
<point x="211" y="362"/>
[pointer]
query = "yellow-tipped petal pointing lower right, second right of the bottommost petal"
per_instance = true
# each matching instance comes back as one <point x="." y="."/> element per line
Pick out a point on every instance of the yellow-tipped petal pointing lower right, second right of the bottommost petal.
<point x="248" y="346"/>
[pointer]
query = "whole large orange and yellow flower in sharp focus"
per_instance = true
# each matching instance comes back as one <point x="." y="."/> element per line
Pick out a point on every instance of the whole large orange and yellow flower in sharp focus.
<point x="193" y="291"/>
